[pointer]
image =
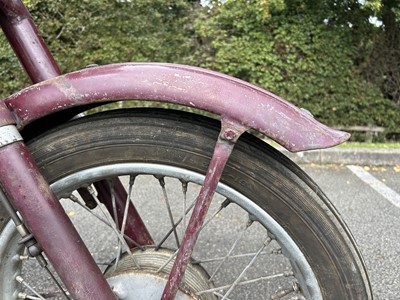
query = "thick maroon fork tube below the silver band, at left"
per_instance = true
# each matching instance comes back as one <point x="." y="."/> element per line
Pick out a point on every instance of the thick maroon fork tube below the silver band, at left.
<point x="43" y="214"/>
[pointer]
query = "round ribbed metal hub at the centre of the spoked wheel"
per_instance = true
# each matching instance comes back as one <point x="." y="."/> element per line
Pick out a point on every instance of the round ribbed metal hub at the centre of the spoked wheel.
<point x="144" y="275"/>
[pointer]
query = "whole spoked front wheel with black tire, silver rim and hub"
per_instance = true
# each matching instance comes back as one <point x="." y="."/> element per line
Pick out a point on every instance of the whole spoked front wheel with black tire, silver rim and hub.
<point x="270" y="233"/>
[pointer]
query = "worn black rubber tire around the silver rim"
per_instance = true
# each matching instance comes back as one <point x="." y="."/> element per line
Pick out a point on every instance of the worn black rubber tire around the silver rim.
<point x="255" y="170"/>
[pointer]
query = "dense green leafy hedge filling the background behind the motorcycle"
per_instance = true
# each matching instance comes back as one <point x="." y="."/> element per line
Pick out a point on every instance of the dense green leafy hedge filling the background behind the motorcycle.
<point x="322" y="55"/>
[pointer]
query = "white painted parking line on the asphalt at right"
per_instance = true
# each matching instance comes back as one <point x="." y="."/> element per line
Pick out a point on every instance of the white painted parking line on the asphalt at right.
<point x="377" y="185"/>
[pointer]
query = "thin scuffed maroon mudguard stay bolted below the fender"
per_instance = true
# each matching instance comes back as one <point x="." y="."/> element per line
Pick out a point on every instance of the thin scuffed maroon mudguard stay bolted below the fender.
<point x="222" y="151"/>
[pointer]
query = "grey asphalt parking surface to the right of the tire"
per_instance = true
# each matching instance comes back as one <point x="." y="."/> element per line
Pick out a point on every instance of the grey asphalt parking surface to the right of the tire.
<point x="371" y="217"/>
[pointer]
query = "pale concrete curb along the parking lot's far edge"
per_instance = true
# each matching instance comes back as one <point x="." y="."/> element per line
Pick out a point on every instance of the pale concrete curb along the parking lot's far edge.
<point x="346" y="156"/>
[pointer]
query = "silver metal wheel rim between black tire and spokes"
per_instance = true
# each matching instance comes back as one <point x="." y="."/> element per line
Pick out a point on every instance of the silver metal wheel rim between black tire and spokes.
<point x="304" y="277"/>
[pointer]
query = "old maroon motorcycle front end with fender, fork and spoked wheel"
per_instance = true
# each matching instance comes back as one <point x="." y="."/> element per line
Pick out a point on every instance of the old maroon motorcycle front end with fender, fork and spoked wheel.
<point x="259" y="227"/>
